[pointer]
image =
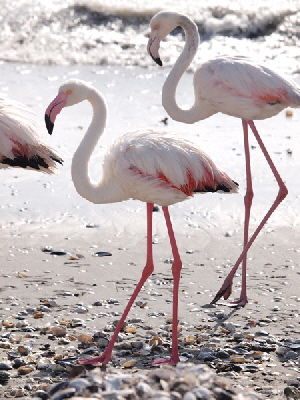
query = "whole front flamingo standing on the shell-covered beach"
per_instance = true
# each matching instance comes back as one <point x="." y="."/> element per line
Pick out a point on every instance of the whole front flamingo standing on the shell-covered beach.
<point x="149" y="165"/>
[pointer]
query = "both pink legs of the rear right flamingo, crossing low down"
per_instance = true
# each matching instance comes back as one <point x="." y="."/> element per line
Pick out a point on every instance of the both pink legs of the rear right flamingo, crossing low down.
<point x="225" y="290"/>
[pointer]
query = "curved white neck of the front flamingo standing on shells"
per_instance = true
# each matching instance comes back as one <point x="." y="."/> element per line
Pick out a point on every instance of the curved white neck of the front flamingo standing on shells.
<point x="107" y="190"/>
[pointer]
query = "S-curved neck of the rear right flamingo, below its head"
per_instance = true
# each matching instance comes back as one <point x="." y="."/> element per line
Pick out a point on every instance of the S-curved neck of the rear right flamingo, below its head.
<point x="198" y="111"/>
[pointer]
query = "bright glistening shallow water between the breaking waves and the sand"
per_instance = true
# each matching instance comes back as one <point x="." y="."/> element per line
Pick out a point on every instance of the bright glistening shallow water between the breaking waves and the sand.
<point x="134" y="102"/>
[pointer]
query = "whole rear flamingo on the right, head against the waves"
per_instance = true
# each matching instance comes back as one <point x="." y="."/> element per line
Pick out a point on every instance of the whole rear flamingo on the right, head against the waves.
<point x="233" y="85"/>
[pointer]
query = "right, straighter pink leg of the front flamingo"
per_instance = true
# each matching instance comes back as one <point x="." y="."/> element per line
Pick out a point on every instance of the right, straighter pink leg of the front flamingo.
<point x="176" y="269"/>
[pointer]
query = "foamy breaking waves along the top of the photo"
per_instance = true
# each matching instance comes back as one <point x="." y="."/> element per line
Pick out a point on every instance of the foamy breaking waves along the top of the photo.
<point x="109" y="32"/>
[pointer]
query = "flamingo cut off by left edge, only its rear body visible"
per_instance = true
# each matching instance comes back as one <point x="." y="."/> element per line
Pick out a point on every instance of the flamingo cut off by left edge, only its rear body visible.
<point x="20" y="144"/>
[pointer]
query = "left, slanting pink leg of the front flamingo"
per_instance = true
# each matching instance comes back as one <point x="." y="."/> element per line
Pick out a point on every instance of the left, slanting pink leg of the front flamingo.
<point x="106" y="356"/>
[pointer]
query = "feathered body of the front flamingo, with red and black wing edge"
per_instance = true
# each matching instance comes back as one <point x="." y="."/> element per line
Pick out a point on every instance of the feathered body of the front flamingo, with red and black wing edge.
<point x="164" y="169"/>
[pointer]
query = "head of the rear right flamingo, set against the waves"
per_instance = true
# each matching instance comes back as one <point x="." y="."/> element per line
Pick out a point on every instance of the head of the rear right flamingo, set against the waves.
<point x="161" y="25"/>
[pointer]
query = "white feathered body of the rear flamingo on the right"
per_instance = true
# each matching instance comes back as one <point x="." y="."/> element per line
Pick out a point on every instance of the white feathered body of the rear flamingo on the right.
<point x="239" y="87"/>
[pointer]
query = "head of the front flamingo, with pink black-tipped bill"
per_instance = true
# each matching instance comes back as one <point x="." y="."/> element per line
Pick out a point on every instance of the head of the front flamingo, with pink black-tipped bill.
<point x="71" y="92"/>
